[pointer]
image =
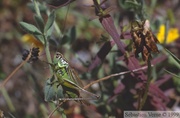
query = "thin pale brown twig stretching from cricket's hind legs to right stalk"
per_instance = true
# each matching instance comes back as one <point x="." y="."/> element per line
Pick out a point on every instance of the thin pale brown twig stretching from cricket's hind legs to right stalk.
<point x="113" y="75"/>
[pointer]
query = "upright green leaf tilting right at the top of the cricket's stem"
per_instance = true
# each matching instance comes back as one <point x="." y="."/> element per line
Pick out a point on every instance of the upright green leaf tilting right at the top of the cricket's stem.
<point x="50" y="21"/>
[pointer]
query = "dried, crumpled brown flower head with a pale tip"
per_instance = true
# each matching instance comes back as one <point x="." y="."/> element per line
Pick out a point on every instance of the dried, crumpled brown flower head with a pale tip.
<point x="143" y="38"/>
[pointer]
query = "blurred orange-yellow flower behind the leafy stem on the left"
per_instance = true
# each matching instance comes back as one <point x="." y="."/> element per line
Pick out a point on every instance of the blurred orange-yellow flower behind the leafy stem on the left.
<point x="30" y="39"/>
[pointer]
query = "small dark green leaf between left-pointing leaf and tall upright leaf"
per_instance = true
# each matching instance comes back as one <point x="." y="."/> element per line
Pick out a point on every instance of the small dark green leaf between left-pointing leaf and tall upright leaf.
<point x="39" y="22"/>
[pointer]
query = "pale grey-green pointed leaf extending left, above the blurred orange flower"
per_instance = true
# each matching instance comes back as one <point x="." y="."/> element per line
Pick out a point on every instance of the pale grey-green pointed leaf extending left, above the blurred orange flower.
<point x="30" y="28"/>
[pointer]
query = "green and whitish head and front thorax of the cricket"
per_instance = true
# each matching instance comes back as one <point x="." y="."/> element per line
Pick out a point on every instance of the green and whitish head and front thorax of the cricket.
<point x="60" y="60"/>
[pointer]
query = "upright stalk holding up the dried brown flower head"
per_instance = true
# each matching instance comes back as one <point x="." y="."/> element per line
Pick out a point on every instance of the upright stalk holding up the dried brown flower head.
<point x="147" y="85"/>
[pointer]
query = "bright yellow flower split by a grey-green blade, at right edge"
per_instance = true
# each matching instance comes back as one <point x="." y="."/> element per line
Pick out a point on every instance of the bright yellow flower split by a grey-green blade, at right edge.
<point x="172" y="35"/>
